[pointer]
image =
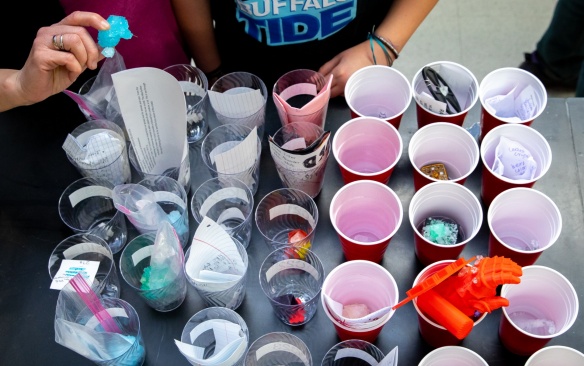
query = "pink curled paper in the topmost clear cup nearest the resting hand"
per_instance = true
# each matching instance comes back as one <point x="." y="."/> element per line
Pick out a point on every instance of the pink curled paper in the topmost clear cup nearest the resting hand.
<point x="311" y="108"/>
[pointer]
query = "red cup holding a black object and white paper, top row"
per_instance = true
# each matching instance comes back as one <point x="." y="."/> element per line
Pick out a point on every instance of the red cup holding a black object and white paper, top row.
<point x="464" y="86"/>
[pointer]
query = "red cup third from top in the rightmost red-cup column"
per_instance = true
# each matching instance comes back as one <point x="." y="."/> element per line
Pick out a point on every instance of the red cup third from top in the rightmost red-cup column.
<point x="523" y="222"/>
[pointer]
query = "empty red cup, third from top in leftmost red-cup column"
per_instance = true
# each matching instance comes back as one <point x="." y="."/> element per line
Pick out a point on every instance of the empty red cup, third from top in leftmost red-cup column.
<point x="365" y="214"/>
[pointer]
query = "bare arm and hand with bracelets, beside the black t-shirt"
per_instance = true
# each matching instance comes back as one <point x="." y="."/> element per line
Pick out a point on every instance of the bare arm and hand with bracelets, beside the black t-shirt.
<point x="400" y="23"/>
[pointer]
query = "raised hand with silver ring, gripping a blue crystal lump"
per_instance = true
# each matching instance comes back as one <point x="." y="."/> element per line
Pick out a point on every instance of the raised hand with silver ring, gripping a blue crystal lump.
<point x="48" y="69"/>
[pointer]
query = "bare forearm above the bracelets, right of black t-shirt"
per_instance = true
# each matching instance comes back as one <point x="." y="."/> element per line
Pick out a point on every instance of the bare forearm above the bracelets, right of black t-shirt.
<point x="404" y="17"/>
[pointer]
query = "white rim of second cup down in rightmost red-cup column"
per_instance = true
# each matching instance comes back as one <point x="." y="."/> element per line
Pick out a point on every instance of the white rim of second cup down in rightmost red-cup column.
<point x="526" y="129"/>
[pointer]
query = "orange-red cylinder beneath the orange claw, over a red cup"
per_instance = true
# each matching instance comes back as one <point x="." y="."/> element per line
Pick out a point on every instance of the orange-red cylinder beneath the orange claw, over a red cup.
<point x="444" y="313"/>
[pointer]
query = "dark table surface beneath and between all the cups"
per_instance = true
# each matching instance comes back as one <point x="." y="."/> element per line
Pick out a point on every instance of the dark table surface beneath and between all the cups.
<point x="34" y="171"/>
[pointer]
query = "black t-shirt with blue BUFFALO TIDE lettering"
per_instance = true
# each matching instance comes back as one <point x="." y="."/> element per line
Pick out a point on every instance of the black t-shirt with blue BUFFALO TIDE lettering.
<point x="300" y="34"/>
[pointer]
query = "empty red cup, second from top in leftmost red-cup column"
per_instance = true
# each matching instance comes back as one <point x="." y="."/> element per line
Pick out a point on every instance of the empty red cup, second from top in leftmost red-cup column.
<point x="367" y="148"/>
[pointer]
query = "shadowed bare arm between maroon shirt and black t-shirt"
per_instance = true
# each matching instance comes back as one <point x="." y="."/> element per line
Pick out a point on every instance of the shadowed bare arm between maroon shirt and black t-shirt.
<point x="196" y="25"/>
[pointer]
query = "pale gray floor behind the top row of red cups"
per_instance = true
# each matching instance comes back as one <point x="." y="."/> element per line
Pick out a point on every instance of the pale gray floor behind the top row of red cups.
<point x="482" y="35"/>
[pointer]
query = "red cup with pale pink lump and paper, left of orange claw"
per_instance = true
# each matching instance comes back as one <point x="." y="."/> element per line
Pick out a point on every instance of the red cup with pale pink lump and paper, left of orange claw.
<point x="361" y="282"/>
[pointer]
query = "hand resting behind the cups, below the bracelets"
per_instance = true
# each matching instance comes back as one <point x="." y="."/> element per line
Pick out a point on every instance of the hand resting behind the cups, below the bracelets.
<point x="343" y="65"/>
